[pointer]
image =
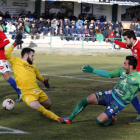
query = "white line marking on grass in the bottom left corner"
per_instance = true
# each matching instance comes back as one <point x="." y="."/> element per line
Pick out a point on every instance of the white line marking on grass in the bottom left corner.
<point x="11" y="131"/>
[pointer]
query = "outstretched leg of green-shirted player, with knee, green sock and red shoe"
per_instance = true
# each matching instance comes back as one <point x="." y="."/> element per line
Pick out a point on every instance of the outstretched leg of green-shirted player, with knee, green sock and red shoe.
<point x="79" y="108"/>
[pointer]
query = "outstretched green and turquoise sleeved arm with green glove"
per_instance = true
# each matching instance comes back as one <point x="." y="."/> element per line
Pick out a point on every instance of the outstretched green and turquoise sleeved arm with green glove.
<point x="104" y="73"/>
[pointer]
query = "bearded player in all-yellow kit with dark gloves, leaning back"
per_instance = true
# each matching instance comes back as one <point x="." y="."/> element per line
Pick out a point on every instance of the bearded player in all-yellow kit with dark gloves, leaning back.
<point x="25" y="72"/>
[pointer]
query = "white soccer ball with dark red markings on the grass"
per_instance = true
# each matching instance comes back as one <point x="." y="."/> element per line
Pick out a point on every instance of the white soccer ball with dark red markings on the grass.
<point x="8" y="104"/>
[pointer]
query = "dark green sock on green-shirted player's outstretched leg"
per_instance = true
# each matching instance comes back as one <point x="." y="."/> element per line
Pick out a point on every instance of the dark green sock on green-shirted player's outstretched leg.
<point x="79" y="107"/>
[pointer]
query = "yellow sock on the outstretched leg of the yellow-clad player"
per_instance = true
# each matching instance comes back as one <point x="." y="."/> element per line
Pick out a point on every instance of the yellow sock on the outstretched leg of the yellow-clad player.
<point x="47" y="113"/>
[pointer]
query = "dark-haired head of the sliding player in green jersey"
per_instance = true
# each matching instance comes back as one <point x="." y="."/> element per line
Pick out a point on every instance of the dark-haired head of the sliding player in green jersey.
<point x="130" y="64"/>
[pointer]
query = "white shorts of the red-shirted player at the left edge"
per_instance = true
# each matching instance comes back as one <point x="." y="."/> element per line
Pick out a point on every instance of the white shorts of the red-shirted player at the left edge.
<point x="4" y="67"/>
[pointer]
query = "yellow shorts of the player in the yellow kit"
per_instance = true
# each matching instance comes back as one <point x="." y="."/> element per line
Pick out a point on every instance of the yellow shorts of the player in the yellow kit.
<point x="33" y="95"/>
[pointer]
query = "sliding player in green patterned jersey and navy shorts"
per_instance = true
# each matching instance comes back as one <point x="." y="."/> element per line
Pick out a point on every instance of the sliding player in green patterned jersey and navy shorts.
<point x="116" y="99"/>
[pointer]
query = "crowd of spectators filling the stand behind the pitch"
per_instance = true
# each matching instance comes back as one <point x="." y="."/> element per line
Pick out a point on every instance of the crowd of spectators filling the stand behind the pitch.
<point x="70" y="28"/>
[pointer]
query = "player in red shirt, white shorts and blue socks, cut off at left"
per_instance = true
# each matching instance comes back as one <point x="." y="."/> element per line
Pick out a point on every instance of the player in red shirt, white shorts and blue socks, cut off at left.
<point x="4" y="67"/>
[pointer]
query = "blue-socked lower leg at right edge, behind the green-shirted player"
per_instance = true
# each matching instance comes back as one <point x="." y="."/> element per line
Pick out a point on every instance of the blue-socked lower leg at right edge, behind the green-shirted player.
<point x="136" y="105"/>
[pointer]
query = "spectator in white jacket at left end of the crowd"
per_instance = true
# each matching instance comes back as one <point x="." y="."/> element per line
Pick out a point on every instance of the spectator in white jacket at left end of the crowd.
<point x="11" y="29"/>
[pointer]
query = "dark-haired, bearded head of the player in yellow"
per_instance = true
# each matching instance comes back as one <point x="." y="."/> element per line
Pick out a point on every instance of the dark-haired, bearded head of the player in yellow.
<point x="28" y="55"/>
